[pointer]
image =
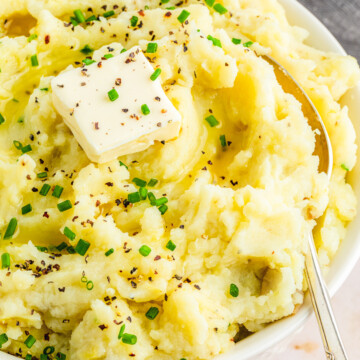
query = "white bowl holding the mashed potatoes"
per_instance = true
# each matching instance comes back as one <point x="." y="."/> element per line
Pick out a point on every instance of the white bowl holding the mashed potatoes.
<point x="349" y="251"/>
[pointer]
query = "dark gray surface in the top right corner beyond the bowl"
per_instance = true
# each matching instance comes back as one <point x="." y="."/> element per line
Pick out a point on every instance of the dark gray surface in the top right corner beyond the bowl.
<point x="342" y="18"/>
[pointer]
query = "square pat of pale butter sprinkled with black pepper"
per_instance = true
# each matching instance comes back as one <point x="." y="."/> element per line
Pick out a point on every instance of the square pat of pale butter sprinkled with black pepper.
<point x="107" y="129"/>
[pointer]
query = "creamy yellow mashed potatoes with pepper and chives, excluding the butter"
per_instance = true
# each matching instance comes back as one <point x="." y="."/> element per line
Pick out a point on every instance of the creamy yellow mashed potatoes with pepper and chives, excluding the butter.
<point x="238" y="214"/>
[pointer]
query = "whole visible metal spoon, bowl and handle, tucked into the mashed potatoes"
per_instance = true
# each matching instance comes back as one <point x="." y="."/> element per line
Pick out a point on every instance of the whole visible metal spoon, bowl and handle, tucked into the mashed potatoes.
<point x="320" y="298"/>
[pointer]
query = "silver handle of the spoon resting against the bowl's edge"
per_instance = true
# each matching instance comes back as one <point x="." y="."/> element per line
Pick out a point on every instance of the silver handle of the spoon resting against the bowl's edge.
<point x="320" y="299"/>
